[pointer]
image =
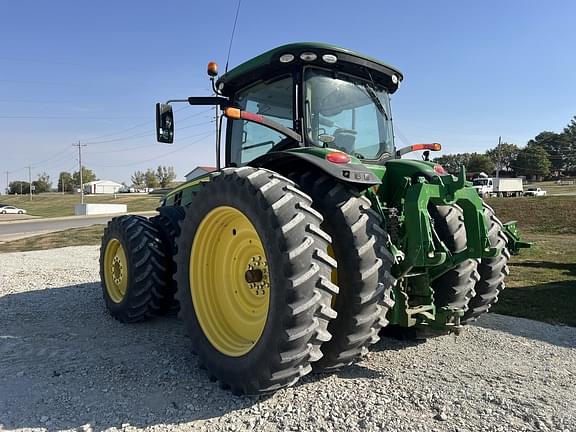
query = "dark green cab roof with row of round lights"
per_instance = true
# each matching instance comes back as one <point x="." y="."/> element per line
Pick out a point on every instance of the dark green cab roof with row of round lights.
<point x="269" y="64"/>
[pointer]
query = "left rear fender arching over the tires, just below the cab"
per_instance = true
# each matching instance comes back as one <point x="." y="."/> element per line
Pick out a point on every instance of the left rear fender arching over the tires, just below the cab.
<point x="287" y="162"/>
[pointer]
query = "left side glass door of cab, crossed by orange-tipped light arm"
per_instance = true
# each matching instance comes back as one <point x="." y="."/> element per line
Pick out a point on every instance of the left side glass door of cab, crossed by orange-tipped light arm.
<point x="248" y="140"/>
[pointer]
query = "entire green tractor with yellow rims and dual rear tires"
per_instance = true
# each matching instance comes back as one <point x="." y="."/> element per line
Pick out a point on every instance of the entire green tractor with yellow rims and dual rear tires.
<point x="314" y="236"/>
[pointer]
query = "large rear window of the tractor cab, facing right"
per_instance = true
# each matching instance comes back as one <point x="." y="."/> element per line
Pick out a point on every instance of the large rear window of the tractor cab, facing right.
<point x="347" y="113"/>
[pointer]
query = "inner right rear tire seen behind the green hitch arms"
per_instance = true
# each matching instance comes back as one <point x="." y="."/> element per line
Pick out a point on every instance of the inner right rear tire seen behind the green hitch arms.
<point x="454" y="288"/>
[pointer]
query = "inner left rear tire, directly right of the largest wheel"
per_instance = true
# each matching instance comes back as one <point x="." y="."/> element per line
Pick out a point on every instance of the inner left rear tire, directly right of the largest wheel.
<point x="363" y="275"/>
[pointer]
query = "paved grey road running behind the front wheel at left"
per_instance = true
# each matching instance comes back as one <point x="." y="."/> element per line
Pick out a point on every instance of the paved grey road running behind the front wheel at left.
<point x="13" y="230"/>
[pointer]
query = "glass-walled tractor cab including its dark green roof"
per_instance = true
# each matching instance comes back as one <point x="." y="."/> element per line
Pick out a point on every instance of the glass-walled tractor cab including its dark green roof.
<point x="331" y="97"/>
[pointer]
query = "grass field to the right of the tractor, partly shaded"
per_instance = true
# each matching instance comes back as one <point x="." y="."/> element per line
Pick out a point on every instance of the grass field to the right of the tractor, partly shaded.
<point x="542" y="281"/>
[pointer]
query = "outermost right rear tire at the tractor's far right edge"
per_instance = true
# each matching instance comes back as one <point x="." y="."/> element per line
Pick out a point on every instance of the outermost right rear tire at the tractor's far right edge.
<point x="492" y="271"/>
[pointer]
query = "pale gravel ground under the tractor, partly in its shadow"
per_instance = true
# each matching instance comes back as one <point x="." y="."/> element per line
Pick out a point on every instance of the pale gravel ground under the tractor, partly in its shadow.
<point x="65" y="364"/>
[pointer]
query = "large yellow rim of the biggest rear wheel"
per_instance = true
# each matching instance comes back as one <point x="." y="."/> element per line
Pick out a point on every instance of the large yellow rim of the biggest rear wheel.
<point x="229" y="281"/>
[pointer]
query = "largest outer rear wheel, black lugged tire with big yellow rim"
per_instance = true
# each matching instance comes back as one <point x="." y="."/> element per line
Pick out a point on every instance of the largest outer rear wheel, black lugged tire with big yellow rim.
<point x="274" y="222"/>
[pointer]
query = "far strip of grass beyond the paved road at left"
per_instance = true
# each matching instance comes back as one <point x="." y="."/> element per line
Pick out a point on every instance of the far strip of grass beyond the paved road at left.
<point x="55" y="204"/>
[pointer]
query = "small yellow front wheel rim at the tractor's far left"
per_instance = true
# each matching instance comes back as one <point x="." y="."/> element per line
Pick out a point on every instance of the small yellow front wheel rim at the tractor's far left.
<point x="115" y="270"/>
